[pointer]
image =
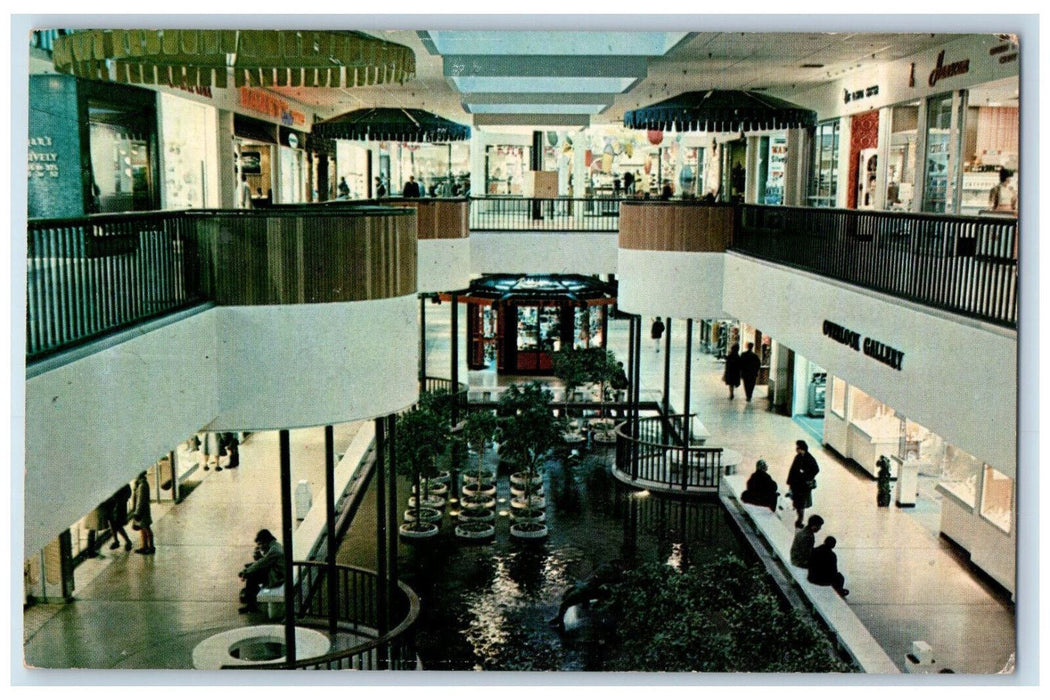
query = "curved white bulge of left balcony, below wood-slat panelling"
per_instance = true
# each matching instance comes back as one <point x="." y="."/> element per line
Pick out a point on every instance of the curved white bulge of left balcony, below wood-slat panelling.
<point x="288" y="367"/>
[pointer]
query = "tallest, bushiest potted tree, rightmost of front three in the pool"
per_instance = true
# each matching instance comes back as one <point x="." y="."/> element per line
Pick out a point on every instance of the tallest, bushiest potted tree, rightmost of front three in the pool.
<point x="529" y="432"/>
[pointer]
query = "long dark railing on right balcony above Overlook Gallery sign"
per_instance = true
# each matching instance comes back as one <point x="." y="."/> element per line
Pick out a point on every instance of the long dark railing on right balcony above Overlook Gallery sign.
<point x="964" y="265"/>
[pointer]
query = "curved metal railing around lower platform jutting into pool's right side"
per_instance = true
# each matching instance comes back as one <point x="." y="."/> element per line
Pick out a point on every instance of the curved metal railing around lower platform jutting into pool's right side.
<point x="659" y="456"/>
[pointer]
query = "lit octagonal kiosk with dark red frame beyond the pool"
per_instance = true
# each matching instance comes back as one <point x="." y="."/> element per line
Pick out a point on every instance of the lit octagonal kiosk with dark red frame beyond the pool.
<point x="518" y="323"/>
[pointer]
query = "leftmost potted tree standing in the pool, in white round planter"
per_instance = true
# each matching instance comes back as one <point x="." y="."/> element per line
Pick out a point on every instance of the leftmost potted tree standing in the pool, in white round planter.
<point x="423" y="438"/>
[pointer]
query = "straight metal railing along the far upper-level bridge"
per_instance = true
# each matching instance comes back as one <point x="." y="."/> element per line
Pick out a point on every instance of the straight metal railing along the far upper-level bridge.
<point x="544" y="215"/>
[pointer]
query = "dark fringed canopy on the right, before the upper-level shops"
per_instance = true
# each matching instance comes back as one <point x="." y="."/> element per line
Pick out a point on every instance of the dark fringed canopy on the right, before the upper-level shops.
<point x="721" y="112"/>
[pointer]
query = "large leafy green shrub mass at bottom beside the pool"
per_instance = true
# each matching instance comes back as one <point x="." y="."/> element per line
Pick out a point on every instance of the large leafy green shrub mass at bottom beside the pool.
<point x="718" y="618"/>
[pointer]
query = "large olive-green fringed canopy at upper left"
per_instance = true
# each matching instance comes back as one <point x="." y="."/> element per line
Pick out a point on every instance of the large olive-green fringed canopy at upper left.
<point x="208" y="58"/>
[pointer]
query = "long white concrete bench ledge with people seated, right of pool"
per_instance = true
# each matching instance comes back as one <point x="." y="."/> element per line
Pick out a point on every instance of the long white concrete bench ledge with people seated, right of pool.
<point x="780" y="533"/>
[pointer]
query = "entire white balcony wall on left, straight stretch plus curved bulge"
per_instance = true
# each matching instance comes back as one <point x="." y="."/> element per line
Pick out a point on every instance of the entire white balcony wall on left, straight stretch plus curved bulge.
<point x="97" y="422"/>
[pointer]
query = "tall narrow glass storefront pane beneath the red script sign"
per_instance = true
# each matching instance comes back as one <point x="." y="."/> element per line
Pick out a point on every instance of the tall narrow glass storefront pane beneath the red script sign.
<point x="942" y="155"/>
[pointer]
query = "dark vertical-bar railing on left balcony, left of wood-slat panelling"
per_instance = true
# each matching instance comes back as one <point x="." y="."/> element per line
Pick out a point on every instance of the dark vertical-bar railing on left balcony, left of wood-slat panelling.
<point x="94" y="275"/>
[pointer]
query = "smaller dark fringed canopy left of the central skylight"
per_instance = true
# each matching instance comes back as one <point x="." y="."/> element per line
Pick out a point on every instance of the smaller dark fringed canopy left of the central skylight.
<point x="392" y="124"/>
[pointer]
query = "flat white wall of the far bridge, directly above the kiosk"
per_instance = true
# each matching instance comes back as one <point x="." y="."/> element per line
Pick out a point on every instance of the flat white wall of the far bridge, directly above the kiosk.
<point x="543" y="253"/>
